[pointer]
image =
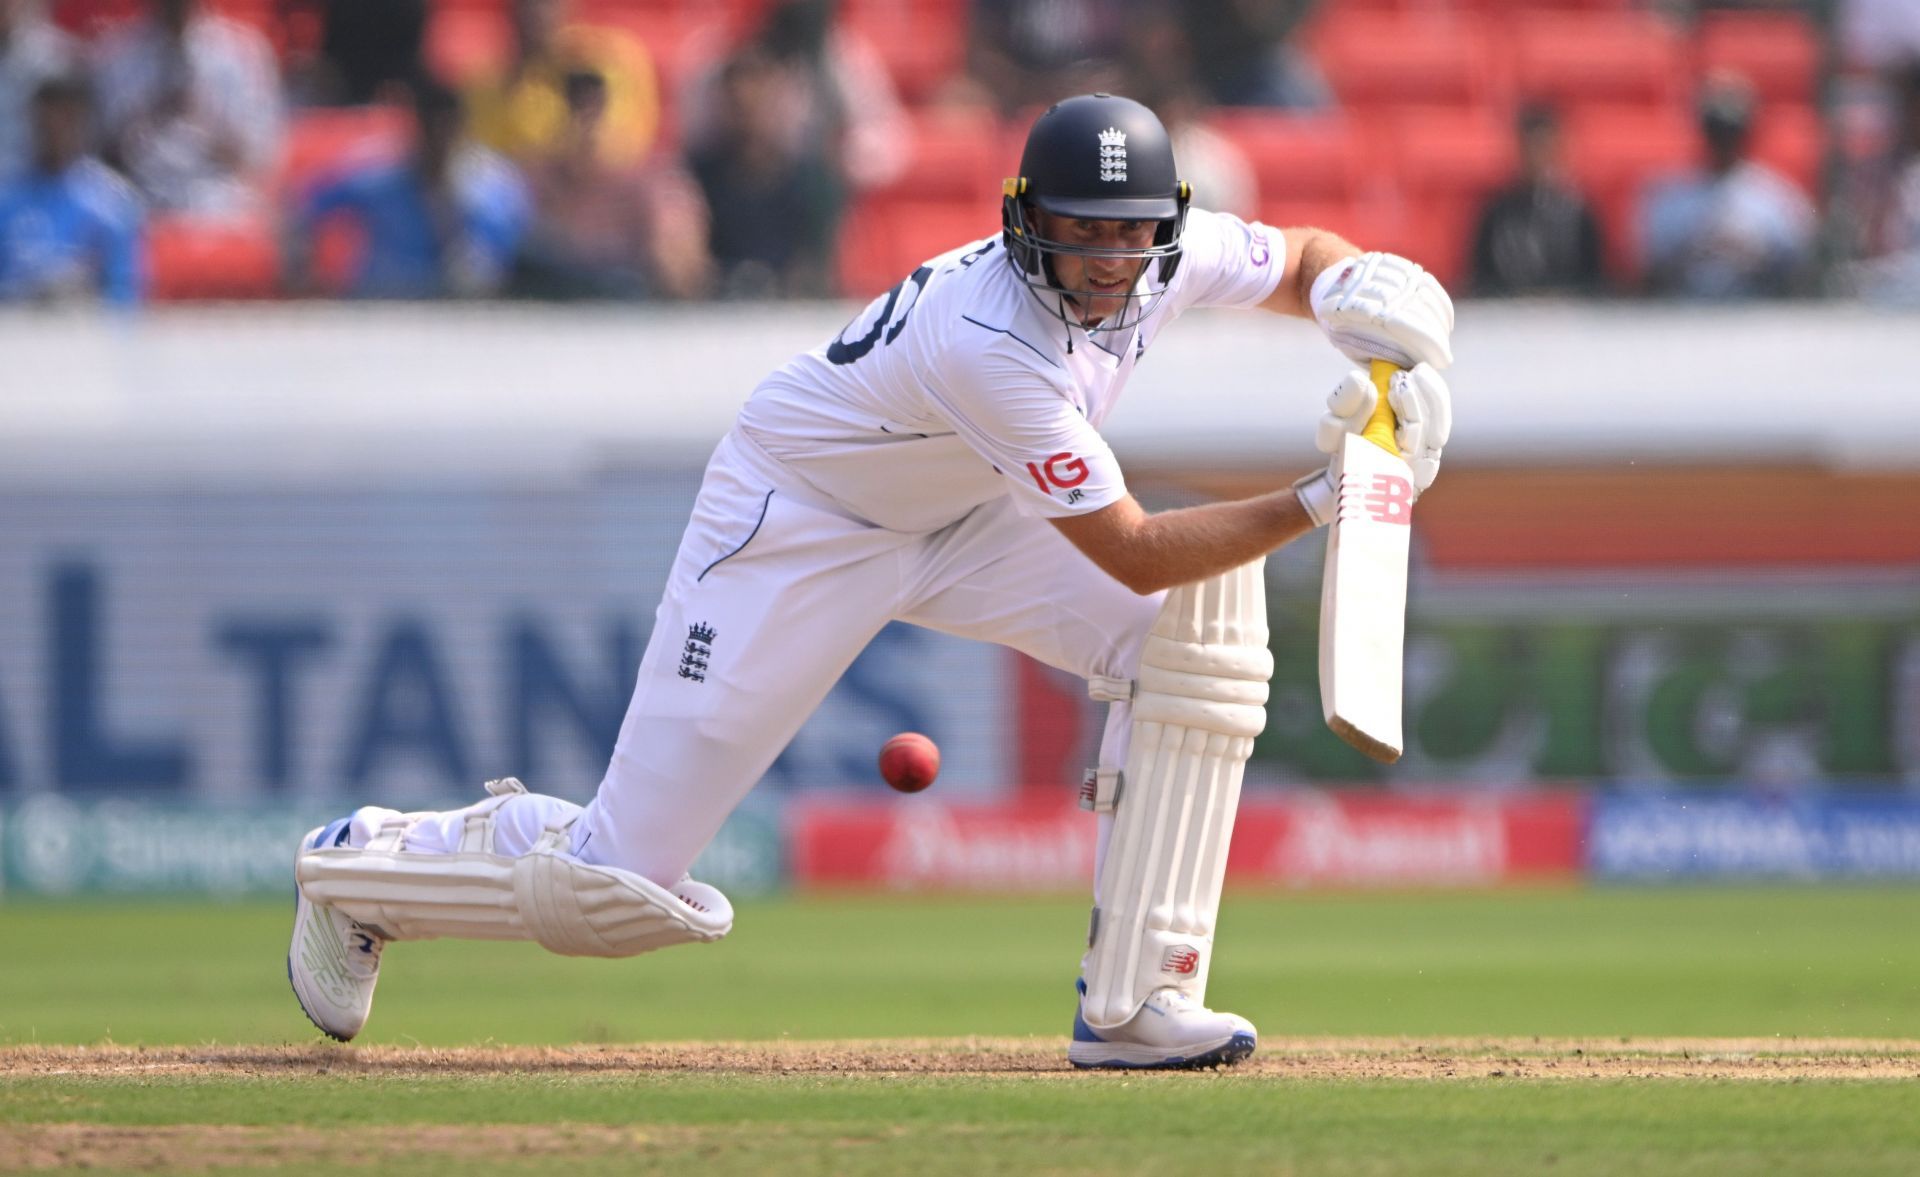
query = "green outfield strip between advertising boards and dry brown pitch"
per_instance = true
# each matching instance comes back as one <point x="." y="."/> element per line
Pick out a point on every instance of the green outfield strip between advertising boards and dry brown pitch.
<point x="1752" y="963"/>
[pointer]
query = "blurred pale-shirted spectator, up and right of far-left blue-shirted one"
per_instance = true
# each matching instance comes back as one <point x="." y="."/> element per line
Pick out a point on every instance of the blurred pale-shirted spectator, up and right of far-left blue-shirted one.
<point x="191" y="105"/>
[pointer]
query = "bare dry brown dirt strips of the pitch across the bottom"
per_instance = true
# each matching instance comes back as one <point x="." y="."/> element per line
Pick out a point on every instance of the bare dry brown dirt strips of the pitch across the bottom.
<point x="1299" y="1065"/>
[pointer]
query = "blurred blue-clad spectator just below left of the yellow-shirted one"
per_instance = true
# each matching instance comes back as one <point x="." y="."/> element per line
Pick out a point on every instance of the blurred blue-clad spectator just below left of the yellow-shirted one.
<point x="446" y="222"/>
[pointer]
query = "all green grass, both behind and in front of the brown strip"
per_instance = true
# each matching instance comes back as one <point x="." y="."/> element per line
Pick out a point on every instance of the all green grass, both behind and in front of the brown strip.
<point x="1600" y="965"/>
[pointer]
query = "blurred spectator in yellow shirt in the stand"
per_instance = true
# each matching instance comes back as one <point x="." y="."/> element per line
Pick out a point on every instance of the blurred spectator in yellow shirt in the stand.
<point x="523" y="114"/>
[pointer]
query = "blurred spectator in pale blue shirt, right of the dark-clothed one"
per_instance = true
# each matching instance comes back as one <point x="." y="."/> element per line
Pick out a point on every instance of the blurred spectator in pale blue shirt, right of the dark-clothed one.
<point x="1737" y="229"/>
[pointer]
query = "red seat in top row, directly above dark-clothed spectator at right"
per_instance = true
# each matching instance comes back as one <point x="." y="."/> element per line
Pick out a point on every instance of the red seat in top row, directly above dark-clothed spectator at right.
<point x="1598" y="57"/>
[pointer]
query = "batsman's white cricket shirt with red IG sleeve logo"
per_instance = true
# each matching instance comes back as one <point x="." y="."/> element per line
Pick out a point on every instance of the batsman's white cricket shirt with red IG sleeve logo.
<point x="959" y="387"/>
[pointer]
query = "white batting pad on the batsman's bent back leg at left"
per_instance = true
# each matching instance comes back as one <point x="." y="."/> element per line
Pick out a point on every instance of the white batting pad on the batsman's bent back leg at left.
<point x="565" y="905"/>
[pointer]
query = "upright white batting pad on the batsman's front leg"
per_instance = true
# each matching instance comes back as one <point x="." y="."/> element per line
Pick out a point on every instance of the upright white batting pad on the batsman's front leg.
<point x="1199" y="704"/>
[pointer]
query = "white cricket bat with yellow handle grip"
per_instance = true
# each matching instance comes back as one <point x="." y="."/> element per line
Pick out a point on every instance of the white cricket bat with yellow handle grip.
<point x="1364" y="590"/>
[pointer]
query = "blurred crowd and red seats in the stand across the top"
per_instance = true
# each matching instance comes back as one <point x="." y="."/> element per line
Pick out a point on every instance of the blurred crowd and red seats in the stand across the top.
<point x="794" y="149"/>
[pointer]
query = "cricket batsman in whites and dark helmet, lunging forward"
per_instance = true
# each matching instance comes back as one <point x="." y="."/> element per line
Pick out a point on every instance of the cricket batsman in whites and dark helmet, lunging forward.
<point x="942" y="464"/>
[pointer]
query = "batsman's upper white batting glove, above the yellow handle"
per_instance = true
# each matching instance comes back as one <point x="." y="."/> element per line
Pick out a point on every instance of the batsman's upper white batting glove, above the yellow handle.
<point x="1381" y="306"/>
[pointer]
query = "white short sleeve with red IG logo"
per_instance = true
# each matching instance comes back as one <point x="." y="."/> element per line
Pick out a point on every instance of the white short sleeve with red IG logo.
<point x="1020" y="416"/>
